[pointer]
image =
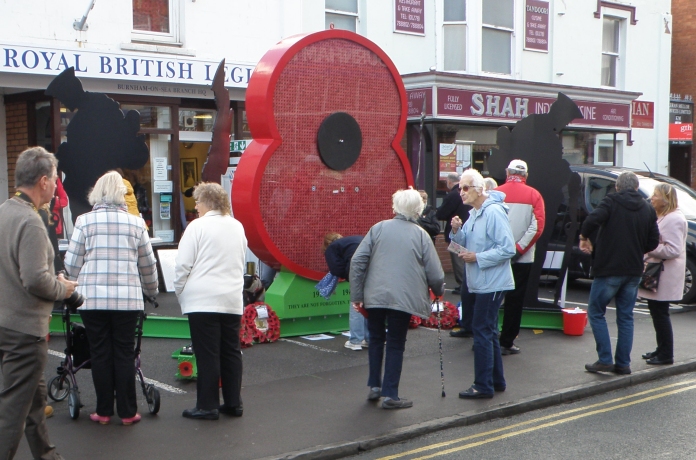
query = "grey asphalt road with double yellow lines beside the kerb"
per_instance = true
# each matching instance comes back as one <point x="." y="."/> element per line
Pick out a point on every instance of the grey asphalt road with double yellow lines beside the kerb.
<point x="649" y="421"/>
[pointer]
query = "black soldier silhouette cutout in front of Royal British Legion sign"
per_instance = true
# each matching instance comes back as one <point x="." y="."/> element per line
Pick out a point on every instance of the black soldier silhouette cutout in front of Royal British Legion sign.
<point x="100" y="138"/>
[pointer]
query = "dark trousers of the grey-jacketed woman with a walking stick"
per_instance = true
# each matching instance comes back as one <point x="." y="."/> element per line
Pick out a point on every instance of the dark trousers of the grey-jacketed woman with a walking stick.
<point x="388" y="326"/>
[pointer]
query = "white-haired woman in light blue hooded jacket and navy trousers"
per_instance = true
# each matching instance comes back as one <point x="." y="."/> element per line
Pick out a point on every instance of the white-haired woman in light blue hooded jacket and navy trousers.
<point x="488" y="247"/>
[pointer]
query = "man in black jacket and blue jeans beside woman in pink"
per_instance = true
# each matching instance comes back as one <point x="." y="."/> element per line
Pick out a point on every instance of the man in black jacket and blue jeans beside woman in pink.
<point x="621" y="229"/>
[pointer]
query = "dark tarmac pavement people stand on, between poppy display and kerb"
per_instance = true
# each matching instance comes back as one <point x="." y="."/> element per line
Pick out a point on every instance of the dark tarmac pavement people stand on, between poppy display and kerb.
<point x="307" y="400"/>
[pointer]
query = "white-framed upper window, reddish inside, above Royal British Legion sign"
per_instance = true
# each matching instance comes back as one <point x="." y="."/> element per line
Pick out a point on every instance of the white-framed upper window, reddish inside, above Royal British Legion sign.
<point x="156" y="21"/>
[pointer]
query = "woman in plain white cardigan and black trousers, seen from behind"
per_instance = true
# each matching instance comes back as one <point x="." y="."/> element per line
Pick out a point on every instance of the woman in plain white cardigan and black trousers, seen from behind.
<point x="209" y="281"/>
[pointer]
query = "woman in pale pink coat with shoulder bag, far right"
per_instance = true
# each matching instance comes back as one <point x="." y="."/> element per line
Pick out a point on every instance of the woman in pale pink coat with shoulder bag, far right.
<point x="672" y="249"/>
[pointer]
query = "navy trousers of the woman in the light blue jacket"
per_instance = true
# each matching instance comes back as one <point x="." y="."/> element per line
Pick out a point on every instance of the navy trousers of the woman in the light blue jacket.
<point x="488" y="364"/>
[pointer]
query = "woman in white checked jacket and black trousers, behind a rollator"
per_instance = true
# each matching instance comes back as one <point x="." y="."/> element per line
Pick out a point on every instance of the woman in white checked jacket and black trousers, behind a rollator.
<point x="111" y="257"/>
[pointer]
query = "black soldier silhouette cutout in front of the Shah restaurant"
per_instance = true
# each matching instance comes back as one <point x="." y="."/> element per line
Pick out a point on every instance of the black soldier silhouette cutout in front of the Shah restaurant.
<point x="535" y="140"/>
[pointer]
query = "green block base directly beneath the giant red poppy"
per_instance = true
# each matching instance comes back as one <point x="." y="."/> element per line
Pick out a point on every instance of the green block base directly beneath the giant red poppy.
<point x="302" y="310"/>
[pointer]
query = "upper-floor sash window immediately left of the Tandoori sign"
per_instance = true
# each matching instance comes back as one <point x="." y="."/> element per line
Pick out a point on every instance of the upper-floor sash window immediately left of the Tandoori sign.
<point x="496" y="36"/>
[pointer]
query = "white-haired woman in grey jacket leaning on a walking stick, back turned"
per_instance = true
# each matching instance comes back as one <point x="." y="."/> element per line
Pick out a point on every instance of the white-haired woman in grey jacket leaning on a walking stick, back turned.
<point x="390" y="273"/>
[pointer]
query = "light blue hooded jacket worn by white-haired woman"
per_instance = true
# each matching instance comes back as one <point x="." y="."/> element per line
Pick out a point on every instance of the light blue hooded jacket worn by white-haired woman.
<point x="487" y="233"/>
